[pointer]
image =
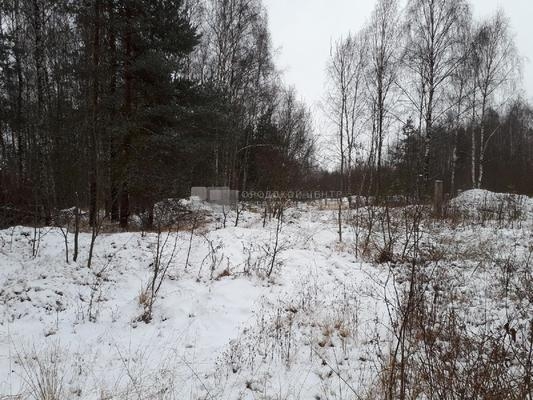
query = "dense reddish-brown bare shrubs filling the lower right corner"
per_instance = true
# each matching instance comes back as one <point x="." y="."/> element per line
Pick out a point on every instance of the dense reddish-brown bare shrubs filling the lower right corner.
<point x="439" y="353"/>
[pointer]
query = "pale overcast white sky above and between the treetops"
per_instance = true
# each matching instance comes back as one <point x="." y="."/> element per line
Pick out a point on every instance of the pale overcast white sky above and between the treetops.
<point x="302" y="31"/>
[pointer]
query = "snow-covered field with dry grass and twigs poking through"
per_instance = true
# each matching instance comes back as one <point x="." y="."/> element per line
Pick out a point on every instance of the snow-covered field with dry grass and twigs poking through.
<point x="323" y="325"/>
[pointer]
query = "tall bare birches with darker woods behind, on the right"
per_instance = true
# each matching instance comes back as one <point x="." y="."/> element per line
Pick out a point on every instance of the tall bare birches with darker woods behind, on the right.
<point x="427" y="92"/>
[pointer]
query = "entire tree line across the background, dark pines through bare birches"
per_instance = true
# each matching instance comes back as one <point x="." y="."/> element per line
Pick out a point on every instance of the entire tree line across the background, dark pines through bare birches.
<point x="114" y="105"/>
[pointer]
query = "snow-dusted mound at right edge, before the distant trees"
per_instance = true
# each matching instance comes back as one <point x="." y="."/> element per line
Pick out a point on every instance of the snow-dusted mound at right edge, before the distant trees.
<point x="477" y="201"/>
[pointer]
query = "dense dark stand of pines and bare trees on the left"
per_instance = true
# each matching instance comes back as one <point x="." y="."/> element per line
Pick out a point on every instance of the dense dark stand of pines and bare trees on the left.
<point x="114" y="105"/>
